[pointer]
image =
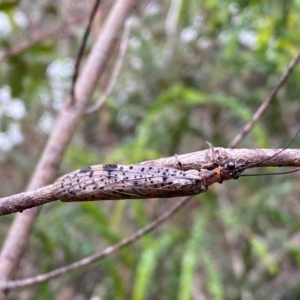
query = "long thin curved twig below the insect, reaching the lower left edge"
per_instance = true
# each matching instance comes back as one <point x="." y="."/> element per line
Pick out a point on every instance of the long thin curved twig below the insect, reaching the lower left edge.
<point x="12" y="284"/>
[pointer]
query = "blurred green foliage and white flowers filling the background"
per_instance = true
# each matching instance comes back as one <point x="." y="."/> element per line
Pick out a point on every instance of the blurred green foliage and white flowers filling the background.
<point x="193" y="71"/>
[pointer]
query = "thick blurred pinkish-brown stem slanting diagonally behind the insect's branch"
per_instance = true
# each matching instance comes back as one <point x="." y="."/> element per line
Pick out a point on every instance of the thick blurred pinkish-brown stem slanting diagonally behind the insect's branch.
<point x="15" y="242"/>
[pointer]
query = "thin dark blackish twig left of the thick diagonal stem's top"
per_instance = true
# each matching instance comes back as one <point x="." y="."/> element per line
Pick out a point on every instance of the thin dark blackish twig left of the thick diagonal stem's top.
<point x="81" y="50"/>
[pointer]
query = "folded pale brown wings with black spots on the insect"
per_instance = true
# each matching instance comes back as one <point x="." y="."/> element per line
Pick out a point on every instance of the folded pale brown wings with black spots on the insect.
<point x="112" y="182"/>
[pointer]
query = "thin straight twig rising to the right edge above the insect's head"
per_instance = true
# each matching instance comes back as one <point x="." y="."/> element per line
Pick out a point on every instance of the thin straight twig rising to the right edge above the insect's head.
<point x="265" y="103"/>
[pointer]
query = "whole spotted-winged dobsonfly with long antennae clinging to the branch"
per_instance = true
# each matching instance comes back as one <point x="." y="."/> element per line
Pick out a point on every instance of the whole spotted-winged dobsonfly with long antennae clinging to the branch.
<point x="114" y="182"/>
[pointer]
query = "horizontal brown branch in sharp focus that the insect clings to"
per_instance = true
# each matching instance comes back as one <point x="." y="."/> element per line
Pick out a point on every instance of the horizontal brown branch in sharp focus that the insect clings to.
<point x="190" y="161"/>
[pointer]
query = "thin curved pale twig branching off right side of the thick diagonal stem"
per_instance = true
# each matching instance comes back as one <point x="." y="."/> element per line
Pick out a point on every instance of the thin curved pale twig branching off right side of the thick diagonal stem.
<point x="116" y="71"/>
